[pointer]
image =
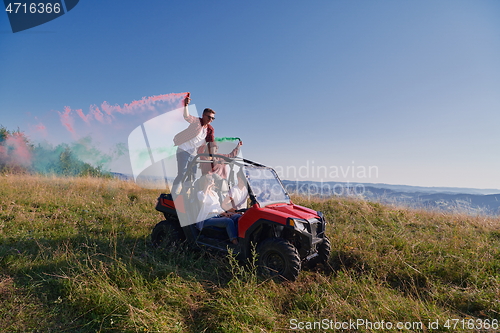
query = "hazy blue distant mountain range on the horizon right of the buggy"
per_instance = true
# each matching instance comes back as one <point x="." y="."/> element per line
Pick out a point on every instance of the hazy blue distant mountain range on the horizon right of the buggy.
<point x="451" y="199"/>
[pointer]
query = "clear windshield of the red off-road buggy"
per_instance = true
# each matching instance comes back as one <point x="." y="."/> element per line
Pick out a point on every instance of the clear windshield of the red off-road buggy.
<point x="266" y="186"/>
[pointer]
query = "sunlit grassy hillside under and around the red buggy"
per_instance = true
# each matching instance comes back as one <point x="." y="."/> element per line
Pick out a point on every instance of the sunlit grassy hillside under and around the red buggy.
<point x="75" y="257"/>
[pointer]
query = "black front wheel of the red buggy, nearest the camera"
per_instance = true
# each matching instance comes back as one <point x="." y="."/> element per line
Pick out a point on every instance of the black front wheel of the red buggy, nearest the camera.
<point x="277" y="258"/>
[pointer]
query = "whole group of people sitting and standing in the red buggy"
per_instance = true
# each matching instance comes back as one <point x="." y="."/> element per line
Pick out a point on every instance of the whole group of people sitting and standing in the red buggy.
<point x="215" y="192"/>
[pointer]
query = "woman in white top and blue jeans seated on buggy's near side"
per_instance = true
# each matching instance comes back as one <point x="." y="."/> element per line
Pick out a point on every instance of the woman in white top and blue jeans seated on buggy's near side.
<point x="212" y="214"/>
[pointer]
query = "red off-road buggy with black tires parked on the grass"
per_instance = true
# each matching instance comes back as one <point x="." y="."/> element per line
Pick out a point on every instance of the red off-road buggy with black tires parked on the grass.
<point x="285" y="236"/>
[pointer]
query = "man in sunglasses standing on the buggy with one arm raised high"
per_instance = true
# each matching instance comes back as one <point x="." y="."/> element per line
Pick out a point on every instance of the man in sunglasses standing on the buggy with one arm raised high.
<point x="189" y="140"/>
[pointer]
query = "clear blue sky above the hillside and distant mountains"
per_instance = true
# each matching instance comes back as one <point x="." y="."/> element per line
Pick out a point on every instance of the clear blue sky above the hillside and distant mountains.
<point x="408" y="88"/>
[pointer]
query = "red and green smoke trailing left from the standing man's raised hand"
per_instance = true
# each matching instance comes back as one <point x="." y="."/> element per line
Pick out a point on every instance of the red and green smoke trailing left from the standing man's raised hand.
<point x="95" y="137"/>
